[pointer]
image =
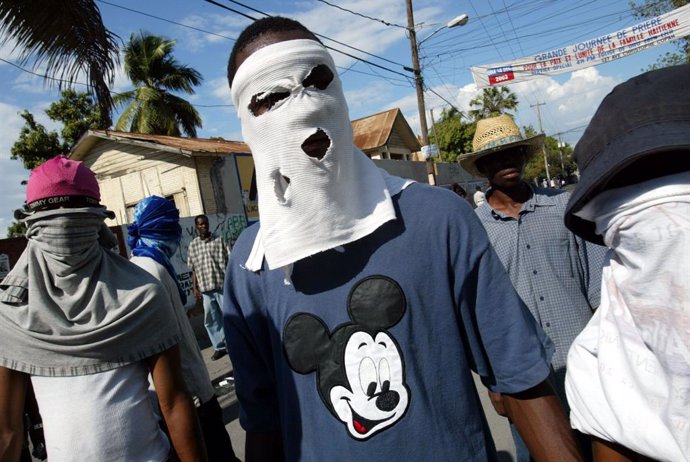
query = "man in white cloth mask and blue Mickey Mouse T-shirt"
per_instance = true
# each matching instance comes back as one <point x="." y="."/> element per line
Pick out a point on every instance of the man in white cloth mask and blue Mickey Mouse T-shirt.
<point x="356" y="311"/>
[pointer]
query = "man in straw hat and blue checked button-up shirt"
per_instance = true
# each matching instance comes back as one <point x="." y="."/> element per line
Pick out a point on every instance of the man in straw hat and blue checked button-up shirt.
<point x="555" y="273"/>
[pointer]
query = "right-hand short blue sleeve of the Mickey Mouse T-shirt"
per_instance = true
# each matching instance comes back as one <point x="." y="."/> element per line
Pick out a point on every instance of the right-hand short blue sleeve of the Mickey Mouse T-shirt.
<point x="508" y="349"/>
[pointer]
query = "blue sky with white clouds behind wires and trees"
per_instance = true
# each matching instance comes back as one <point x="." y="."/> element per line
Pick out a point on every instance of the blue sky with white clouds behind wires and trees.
<point x="498" y="30"/>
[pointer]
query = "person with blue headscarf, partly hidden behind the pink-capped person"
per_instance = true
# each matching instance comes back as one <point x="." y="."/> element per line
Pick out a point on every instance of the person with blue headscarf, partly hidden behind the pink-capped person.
<point x="154" y="237"/>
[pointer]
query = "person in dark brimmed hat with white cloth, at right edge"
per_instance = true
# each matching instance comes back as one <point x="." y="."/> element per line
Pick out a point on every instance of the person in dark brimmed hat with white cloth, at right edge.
<point x="628" y="380"/>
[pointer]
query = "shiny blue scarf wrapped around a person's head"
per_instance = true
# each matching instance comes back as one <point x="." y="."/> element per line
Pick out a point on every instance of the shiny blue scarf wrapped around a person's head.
<point x="156" y="234"/>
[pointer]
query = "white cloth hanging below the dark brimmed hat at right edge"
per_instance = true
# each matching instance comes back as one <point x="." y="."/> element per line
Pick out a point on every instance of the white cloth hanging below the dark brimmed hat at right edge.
<point x="628" y="378"/>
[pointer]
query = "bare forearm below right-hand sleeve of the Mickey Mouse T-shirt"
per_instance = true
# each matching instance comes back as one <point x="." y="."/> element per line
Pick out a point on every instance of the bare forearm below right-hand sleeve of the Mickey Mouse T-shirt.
<point x="539" y="417"/>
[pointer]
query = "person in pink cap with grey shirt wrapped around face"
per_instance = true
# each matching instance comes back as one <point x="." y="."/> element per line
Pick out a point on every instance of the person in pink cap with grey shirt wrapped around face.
<point x="86" y="327"/>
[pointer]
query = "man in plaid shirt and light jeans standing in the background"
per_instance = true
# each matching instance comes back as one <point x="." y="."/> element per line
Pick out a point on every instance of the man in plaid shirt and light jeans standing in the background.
<point x="207" y="257"/>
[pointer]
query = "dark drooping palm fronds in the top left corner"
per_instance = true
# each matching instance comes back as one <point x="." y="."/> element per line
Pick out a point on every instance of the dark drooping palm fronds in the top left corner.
<point x="69" y="39"/>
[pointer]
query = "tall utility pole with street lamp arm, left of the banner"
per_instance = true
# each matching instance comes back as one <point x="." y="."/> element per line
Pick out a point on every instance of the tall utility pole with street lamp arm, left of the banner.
<point x="419" y="82"/>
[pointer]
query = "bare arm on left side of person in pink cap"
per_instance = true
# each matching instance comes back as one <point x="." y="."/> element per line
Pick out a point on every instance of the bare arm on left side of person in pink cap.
<point x="13" y="386"/>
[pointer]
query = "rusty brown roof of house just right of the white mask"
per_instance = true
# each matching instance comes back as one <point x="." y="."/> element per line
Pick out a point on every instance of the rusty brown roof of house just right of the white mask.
<point x="374" y="131"/>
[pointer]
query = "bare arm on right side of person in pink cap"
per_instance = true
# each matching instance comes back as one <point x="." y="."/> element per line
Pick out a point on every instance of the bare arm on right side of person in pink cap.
<point x="176" y="406"/>
